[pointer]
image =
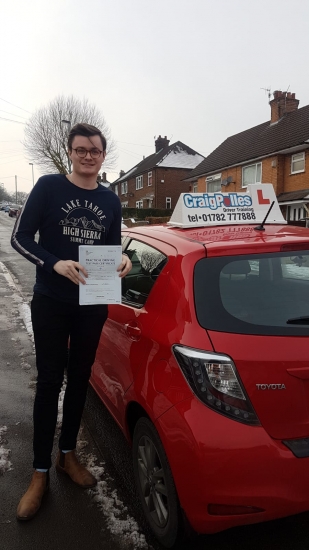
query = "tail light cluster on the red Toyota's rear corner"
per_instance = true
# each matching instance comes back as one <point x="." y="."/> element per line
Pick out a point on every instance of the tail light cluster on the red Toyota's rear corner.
<point x="213" y="378"/>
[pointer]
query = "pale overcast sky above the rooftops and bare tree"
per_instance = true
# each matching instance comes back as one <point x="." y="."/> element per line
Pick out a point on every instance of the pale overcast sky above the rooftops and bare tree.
<point x="191" y="70"/>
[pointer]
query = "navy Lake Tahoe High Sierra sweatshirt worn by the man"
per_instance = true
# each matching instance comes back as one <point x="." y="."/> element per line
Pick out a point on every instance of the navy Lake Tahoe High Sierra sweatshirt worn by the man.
<point x="65" y="216"/>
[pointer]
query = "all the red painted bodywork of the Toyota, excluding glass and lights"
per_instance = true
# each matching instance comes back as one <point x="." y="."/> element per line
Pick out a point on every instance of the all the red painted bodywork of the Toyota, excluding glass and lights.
<point x="214" y="459"/>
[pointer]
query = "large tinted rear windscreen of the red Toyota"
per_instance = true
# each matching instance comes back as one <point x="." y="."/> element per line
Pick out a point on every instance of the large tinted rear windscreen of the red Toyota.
<point x="258" y="294"/>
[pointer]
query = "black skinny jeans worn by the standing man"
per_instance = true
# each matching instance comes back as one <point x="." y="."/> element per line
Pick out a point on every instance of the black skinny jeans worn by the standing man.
<point x="54" y="324"/>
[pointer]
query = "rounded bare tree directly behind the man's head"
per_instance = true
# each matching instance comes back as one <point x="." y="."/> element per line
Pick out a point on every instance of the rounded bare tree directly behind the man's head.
<point x="46" y="135"/>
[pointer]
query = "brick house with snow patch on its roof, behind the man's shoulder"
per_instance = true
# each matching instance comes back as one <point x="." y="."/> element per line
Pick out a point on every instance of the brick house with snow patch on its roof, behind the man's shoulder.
<point x="157" y="181"/>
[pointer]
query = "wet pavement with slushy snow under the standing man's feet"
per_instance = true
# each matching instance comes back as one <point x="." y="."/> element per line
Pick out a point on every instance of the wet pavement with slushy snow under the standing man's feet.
<point x="70" y="518"/>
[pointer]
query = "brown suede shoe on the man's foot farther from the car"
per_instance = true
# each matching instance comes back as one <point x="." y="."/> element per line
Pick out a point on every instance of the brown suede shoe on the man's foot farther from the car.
<point x="31" y="501"/>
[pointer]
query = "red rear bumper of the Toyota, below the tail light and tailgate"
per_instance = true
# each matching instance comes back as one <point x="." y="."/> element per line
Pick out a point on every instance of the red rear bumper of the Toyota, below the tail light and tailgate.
<point x="217" y="461"/>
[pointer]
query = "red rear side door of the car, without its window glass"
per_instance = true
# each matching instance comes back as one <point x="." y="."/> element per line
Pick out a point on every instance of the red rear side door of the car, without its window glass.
<point x="127" y="341"/>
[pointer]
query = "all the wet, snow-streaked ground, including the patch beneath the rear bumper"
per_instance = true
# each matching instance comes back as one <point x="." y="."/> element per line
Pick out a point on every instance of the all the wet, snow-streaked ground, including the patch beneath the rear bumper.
<point x="108" y="517"/>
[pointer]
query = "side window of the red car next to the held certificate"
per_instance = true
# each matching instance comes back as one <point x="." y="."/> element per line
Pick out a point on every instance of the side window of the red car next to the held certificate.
<point x="147" y="264"/>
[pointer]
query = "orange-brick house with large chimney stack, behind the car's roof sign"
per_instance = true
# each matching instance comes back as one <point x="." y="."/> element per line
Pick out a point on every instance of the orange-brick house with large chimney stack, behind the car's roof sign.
<point x="276" y="152"/>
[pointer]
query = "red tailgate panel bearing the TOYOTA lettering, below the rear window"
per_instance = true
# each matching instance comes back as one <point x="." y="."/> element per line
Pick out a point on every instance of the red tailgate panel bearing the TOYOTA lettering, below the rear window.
<point x="275" y="372"/>
